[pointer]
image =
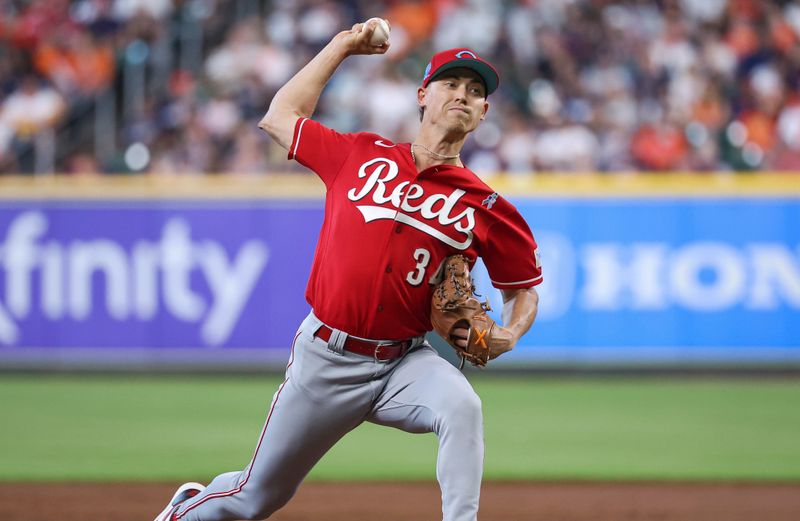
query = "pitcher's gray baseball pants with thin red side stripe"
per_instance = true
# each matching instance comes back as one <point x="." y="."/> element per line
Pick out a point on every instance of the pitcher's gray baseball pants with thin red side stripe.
<point x="327" y="393"/>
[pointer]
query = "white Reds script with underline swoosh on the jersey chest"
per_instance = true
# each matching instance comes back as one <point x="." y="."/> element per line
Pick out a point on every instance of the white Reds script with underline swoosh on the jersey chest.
<point x="436" y="206"/>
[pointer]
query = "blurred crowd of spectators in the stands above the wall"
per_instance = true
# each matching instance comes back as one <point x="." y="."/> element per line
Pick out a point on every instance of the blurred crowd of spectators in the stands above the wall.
<point x="586" y="85"/>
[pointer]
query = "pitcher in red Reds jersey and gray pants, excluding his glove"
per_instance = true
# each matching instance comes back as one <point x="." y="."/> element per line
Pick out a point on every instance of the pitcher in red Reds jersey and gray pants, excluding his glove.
<point x="393" y="213"/>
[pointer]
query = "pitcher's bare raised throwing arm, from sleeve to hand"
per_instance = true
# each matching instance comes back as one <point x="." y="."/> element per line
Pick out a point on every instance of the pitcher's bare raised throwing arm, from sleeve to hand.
<point x="299" y="96"/>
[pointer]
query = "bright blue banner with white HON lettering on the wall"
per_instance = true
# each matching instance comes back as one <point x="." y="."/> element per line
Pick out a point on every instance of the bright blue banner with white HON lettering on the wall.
<point x="671" y="280"/>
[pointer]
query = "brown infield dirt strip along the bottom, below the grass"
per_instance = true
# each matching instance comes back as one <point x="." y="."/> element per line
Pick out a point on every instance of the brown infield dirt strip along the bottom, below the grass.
<point x="324" y="501"/>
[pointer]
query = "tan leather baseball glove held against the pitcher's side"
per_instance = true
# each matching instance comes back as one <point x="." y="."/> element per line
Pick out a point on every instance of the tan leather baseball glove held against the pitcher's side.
<point x="454" y="305"/>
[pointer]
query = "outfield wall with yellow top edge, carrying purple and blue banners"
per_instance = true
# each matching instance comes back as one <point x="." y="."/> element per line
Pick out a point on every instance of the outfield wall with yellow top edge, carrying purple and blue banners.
<point x="139" y="272"/>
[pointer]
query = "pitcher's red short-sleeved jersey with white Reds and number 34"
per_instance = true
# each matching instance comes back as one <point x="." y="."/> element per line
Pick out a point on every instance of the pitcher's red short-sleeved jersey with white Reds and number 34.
<point x="388" y="229"/>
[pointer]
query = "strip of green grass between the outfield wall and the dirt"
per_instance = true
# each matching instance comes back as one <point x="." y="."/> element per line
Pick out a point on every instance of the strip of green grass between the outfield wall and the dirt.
<point x="162" y="428"/>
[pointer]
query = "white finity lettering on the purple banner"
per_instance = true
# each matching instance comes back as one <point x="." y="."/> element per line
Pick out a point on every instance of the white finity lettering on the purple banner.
<point x="57" y="278"/>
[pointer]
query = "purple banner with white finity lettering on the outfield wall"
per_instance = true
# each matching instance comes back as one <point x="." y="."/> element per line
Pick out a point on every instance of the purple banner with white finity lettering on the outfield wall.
<point x="155" y="275"/>
